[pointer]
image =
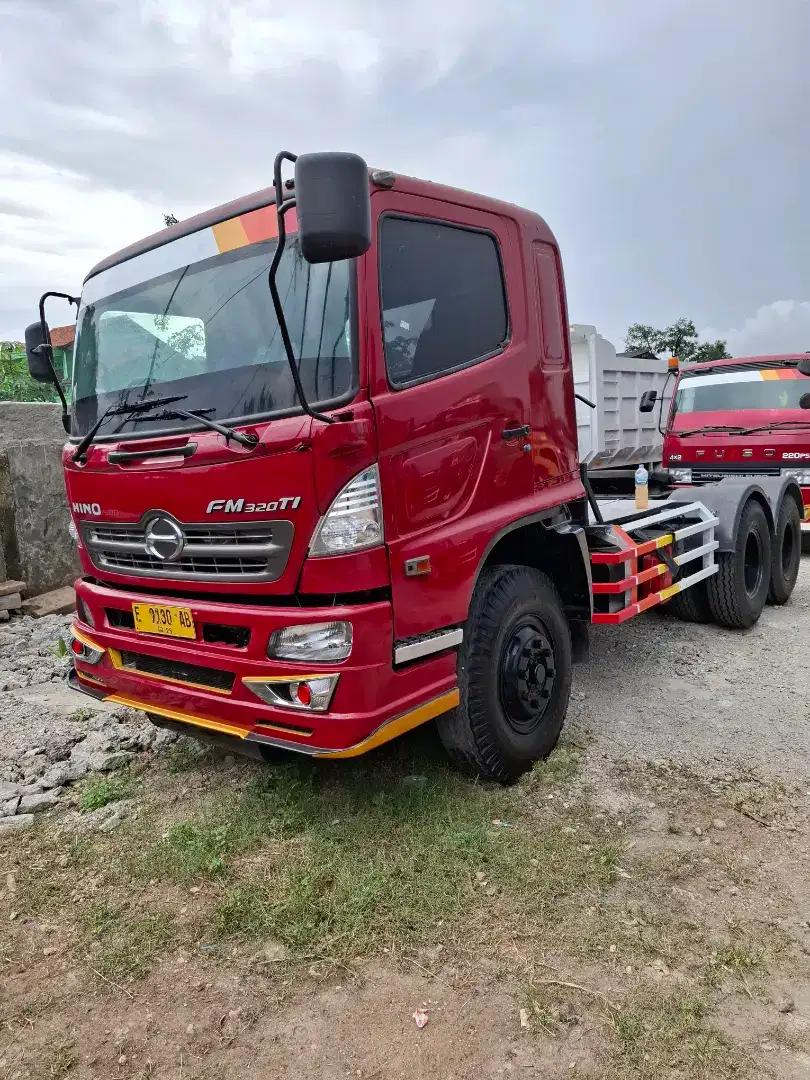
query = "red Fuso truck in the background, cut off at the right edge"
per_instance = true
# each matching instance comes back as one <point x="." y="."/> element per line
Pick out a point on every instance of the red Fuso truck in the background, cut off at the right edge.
<point x="741" y="417"/>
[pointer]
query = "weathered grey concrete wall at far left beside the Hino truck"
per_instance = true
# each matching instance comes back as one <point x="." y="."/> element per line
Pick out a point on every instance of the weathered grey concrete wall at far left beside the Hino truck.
<point x="34" y="516"/>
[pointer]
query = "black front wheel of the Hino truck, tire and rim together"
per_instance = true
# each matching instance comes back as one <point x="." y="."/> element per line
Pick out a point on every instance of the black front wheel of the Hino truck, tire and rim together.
<point x="515" y="677"/>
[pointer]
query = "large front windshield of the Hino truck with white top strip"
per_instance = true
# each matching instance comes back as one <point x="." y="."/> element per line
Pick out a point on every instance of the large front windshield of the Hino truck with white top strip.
<point x="207" y="332"/>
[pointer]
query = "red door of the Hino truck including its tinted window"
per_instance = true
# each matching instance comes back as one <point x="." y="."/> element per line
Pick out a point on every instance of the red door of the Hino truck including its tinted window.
<point x="450" y="383"/>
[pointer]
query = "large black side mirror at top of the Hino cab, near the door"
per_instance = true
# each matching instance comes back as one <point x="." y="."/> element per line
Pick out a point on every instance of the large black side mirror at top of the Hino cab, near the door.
<point x="333" y="205"/>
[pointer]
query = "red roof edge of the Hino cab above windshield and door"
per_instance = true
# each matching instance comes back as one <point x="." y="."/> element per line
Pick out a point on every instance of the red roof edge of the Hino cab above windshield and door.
<point x="528" y="220"/>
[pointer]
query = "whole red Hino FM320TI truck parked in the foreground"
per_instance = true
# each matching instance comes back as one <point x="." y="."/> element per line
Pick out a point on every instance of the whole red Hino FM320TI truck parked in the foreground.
<point x="323" y="477"/>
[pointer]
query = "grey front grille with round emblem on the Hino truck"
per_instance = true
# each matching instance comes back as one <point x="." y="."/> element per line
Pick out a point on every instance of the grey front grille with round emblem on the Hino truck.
<point x="252" y="551"/>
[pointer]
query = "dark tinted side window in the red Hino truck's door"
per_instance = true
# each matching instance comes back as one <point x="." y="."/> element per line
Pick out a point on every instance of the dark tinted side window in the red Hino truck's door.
<point x="443" y="299"/>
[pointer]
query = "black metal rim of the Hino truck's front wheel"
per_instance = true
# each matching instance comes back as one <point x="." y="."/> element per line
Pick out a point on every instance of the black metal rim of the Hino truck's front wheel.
<point x="528" y="672"/>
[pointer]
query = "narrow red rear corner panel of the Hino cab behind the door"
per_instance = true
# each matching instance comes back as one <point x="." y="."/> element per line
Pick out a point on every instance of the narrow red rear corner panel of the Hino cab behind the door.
<point x="556" y="454"/>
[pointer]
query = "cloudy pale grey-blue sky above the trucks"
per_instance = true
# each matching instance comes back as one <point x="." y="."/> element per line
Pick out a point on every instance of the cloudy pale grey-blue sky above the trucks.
<point x="664" y="141"/>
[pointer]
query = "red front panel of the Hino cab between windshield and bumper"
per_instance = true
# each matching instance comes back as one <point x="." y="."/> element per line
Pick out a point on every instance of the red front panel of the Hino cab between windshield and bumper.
<point x="292" y="477"/>
